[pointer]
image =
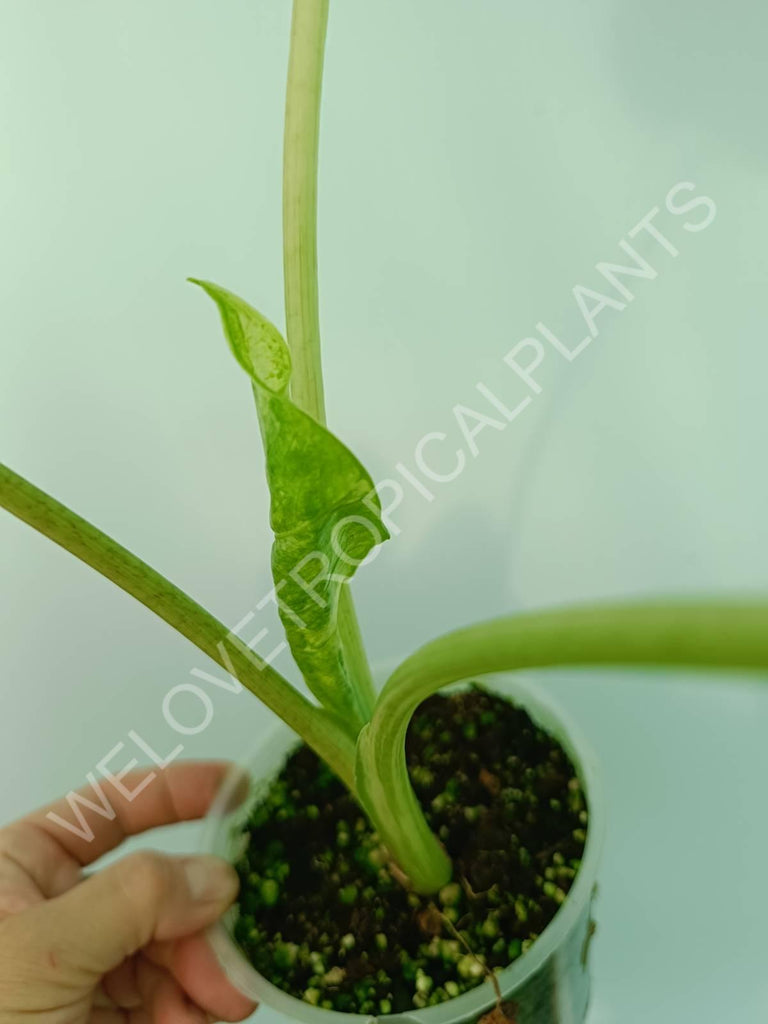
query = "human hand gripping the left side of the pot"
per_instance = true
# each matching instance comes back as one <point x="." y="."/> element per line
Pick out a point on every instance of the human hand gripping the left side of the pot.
<point x="124" y="946"/>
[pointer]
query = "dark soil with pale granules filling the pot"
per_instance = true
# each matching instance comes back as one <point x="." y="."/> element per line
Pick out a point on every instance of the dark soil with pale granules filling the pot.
<point x="323" y="918"/>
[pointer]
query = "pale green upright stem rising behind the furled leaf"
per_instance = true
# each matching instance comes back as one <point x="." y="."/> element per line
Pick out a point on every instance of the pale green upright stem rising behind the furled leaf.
<point x="301" y="267"/>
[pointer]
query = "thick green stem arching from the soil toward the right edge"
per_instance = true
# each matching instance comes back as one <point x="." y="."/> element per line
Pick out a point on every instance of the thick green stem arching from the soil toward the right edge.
<point x="705" y="635"/>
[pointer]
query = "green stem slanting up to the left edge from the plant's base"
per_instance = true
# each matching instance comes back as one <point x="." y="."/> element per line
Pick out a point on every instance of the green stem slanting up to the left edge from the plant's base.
<point x="317" y="728"/>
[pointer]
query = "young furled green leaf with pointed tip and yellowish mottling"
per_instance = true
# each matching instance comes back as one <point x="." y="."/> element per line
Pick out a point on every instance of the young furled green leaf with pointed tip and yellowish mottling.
<point x="325" y="510"/>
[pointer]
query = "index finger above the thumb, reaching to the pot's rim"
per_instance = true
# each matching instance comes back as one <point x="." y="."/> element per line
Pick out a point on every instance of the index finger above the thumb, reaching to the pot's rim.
<point x="183" y="792"/>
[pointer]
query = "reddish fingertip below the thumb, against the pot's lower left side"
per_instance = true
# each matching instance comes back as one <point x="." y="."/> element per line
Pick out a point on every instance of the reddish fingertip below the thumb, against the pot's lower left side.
<point x="194" y="965"/>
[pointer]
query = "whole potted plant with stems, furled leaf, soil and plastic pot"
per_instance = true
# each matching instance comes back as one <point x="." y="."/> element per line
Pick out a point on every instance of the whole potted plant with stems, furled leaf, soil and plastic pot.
<point x="410" y="851"/>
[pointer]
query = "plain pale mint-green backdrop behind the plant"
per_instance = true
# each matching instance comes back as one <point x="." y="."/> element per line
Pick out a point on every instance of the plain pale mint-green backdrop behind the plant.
<point x="478" y="160"/>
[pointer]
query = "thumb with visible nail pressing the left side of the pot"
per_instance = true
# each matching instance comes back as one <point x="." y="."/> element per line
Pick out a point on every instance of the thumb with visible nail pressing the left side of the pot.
<point x="145" y="898"/>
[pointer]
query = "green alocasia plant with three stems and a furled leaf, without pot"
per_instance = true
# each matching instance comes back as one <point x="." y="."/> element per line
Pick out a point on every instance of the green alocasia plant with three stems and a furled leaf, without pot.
<point x="327" y="520"/>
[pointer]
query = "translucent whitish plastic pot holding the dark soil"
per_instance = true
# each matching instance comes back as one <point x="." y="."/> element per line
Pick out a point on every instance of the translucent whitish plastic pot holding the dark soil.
<point x="550" y="984"/>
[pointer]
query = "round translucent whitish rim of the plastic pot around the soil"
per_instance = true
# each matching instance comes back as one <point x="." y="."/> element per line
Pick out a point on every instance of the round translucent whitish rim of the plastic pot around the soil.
<point x="548" y="714"/>
